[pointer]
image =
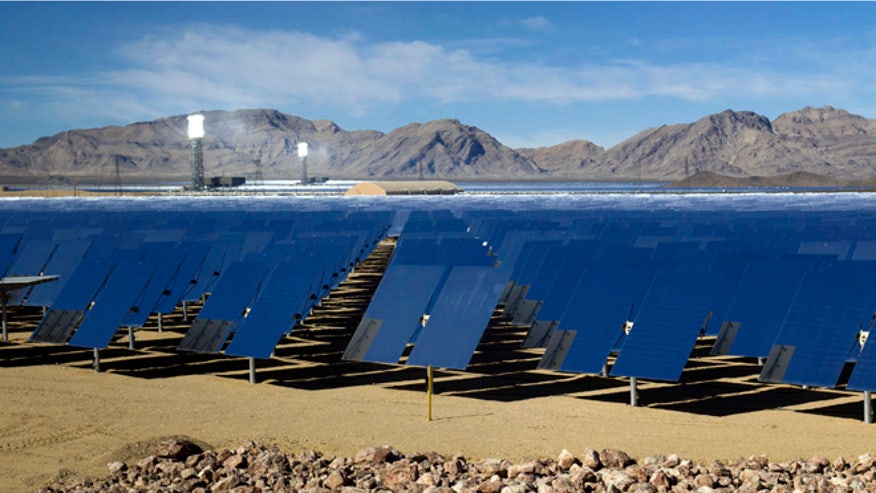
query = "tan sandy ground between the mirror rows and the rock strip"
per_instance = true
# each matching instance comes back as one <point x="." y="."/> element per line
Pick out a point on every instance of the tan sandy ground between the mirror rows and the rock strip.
<point x="59" y="417"/>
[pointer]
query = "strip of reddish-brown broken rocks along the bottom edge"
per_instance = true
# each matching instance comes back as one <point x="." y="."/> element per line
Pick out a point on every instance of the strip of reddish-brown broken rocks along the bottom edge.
<point x="255" y="468"/>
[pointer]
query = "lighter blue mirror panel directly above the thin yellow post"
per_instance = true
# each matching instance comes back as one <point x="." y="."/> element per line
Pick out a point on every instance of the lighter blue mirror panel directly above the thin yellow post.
<point x="459" y="317"/>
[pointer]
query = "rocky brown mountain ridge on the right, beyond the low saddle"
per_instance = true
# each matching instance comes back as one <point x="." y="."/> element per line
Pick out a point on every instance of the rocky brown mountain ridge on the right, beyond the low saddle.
<point x="824" y="141"/>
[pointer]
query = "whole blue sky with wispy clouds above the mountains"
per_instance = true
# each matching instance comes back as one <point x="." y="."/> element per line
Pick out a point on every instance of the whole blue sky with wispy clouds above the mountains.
<point x="530" y="74"/>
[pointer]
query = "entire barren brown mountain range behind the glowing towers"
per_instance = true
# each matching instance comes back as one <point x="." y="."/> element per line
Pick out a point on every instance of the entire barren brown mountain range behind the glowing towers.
<point x="817" y="141"/>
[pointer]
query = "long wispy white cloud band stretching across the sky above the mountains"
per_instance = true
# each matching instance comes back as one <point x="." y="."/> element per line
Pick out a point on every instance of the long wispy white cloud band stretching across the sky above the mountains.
<point x="228" y="67"/>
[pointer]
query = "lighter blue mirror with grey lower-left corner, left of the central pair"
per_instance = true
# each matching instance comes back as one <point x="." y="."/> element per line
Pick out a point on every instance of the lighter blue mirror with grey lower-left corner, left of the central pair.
<point x="395" y="313"/>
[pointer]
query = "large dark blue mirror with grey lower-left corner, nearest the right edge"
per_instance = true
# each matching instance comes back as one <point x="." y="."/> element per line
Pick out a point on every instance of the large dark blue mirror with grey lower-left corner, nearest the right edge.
<point x="822" y="324"/>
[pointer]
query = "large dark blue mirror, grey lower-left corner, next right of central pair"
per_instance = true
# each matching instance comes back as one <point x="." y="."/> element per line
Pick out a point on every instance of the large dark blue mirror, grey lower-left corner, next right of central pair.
<point x="603" y="302"/>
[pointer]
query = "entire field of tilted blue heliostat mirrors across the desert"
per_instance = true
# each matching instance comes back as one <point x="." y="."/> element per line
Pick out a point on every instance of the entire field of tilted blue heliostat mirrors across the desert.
<point x="637" y="288"/>
